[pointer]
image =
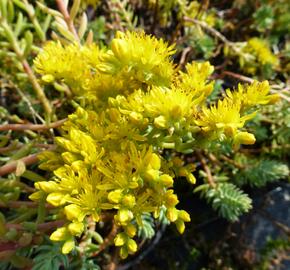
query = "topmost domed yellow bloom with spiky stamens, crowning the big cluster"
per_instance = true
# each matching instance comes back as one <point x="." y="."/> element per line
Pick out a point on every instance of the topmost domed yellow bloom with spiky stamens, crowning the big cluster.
<point x="141" y="56"/>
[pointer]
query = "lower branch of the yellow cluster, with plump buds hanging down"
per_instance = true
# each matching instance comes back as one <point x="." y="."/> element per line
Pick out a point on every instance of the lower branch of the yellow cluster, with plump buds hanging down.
<point x="95" y="171"/>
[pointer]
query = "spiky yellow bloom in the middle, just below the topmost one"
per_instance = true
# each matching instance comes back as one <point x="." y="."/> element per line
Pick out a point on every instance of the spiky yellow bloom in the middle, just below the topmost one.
<point x="162" y="107"/>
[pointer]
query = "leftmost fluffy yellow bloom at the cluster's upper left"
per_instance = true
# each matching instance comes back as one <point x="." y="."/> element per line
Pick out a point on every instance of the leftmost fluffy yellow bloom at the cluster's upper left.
<point x="74" y="64"/>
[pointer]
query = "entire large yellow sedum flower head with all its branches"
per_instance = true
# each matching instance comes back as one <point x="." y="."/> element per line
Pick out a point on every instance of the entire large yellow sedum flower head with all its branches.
<point x="109" y="157"/>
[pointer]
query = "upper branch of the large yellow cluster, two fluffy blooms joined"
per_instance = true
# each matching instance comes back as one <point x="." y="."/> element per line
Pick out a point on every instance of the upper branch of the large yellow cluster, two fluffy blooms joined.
<point x="134" y="60"/>
